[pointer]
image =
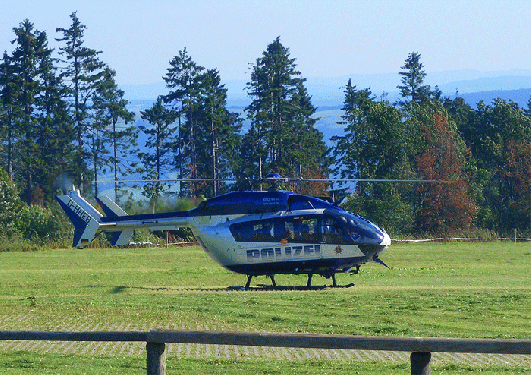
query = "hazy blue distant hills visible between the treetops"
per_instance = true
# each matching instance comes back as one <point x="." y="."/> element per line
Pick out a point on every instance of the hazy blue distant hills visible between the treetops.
<point x="328" y="93"/>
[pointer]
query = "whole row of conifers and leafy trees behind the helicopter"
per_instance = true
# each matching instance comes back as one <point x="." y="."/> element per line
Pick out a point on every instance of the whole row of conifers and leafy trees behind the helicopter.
<point x="61" y="112"/>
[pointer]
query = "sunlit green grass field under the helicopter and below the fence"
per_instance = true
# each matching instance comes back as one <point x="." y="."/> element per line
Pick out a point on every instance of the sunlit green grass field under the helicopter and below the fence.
<point x="473" y="290"/>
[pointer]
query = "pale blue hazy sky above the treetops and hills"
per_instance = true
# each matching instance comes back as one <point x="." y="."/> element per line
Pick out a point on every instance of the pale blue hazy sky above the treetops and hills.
<point x="328" y="38"/>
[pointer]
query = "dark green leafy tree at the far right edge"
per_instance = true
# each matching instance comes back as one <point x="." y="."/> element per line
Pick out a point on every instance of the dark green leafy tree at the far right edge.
<point x="498" y="140"/>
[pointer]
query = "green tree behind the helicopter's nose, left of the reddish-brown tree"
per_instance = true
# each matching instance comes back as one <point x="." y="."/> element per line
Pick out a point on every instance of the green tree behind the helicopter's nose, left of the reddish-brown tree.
<point x="374" y="146"/>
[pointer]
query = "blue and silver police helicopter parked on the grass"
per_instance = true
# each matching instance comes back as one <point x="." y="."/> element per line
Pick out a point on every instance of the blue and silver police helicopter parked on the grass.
<point x="254" y="233"/>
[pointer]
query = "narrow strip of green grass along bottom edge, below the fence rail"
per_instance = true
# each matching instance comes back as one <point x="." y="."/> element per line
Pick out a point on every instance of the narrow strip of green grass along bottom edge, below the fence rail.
<point x="28" y="362"/>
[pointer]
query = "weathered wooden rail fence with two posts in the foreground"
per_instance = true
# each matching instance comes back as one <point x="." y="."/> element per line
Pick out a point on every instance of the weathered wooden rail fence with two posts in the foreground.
<point x="420" y="348"/>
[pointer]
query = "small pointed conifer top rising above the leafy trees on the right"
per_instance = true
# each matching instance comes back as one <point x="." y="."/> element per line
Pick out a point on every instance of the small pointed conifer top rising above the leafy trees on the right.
<point x="412" y="80"/>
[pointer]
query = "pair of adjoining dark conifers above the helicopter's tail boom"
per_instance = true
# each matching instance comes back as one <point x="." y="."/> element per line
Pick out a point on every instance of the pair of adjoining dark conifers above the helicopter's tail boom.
<point x="208" y="132"/>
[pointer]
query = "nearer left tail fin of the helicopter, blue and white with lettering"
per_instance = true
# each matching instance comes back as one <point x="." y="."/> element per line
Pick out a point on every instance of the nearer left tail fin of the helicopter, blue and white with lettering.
<point x="83" y="215"/>
